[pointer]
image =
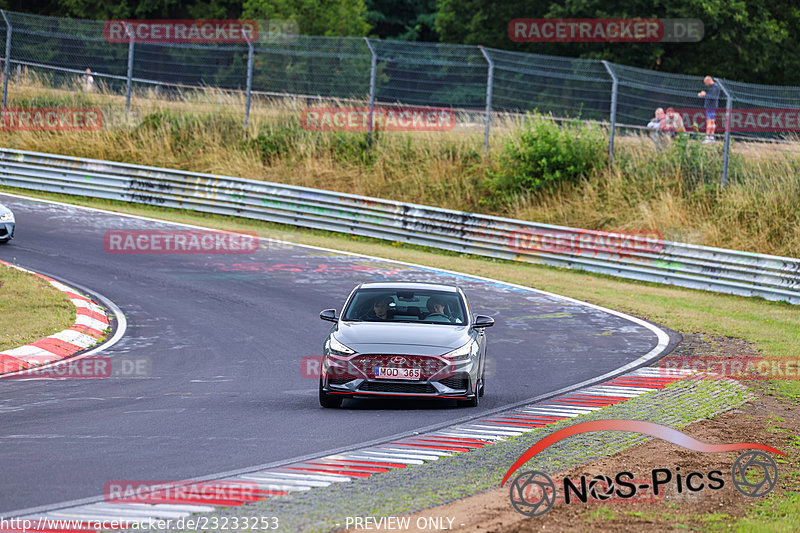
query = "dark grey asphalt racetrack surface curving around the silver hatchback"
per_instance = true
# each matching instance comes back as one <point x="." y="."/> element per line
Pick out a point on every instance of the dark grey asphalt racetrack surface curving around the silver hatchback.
<point x="224" y="336"/>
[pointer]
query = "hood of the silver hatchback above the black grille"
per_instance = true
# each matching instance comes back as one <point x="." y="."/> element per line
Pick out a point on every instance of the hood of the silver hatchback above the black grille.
<point x="366" y="336"/>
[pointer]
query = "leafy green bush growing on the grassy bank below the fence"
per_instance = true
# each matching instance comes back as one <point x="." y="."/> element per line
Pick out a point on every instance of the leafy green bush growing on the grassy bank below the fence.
<point x="543" y="155"/>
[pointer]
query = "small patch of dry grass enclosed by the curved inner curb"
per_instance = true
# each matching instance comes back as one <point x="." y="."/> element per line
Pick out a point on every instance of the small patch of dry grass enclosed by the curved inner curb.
<point x="31" y="308"/>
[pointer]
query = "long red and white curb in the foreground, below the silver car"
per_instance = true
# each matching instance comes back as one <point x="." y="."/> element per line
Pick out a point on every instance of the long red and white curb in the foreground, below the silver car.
<point x="368" y="461"/>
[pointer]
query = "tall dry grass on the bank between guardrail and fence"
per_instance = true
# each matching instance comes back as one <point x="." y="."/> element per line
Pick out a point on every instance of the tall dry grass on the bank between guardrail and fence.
<point x="757" y="212"/>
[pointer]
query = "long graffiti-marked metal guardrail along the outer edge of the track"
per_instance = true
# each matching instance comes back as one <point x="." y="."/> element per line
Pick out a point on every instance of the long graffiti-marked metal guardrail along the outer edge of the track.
<point x="628" y="256"/>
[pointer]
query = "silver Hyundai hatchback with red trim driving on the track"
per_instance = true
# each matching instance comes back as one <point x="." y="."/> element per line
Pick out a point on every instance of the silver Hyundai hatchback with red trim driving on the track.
<point x="416" y="340"/>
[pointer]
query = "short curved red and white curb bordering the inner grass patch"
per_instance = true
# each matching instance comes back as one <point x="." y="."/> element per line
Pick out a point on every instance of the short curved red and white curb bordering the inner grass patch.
<point x="91" y="322"/>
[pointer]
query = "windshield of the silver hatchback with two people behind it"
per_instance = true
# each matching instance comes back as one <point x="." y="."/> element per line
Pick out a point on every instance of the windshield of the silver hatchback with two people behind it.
<point x="402" y="305"/>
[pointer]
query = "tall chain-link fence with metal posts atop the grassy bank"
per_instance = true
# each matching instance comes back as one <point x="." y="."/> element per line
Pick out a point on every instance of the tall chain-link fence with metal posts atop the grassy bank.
<point x="469" y="78"/>
